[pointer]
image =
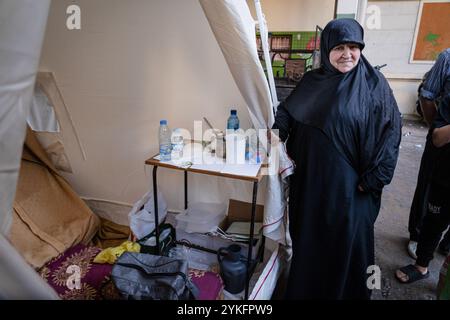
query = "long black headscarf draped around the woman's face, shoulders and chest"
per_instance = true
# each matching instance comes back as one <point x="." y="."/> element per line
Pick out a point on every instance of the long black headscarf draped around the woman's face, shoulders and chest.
<point x="356" y="110"/>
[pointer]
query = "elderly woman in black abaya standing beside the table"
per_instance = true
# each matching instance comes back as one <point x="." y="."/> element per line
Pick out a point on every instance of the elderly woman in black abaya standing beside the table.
<point x="343" y="130"/>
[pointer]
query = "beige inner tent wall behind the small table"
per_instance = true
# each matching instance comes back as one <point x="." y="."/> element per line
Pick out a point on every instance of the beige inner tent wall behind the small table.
<point x="133" y="63"/>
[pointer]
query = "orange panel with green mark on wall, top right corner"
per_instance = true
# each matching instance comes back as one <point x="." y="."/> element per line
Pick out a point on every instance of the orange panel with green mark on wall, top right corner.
<point x="432" y="33"/>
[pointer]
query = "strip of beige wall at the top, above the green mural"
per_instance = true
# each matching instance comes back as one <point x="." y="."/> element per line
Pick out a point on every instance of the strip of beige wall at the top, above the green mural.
<point x="295" y="15"/>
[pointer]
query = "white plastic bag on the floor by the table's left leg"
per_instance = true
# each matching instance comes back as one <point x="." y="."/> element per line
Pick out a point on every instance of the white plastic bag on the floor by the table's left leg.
<point x="142" y="216"/>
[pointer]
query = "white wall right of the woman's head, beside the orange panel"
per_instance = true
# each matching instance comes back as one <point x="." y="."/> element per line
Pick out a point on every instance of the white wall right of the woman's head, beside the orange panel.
<point x="392" y="44"/>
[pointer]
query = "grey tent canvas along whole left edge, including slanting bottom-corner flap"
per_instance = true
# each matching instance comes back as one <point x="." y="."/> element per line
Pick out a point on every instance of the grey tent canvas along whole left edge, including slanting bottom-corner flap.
<point x="19" y="60"/>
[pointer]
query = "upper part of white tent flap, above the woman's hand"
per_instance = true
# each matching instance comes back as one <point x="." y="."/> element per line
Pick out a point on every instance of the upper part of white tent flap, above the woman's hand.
<point x="234" y="29"/>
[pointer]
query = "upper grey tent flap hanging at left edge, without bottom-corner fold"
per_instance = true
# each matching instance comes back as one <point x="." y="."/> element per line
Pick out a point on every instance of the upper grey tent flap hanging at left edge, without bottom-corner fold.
<point x="19" y="60"/>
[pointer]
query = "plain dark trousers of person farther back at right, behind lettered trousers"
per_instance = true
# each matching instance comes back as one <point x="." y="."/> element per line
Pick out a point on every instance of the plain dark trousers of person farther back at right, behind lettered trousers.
<point x="420" y="200"/>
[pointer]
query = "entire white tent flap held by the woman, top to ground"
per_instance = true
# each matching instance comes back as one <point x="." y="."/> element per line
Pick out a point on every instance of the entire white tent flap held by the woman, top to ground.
<point x="234" y="29"/>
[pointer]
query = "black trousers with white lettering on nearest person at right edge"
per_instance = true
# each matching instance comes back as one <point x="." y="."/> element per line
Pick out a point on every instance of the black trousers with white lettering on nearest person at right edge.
<point x="435" y="222"/>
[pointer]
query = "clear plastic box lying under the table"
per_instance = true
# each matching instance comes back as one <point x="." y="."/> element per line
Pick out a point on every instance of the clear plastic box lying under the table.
<point x="201" y="217"/>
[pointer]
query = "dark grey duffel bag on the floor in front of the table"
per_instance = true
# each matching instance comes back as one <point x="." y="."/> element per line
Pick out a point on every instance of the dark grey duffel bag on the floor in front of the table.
<point x="140" y="276"/>
